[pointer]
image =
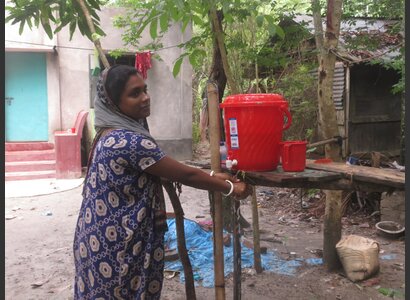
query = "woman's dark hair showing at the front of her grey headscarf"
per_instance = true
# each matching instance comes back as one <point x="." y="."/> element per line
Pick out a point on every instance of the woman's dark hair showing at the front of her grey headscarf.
<point x="117" y="78"/>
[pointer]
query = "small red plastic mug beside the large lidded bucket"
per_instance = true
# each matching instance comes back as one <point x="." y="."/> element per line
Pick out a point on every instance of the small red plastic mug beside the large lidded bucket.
<point x="293" y="156"/>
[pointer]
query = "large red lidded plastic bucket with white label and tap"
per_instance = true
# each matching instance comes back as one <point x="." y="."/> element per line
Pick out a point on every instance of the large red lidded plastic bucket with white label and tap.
<point x="253" y="129"/>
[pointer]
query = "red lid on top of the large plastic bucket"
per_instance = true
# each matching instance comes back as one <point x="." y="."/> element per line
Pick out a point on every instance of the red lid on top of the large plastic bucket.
<point x="246" y="100"/>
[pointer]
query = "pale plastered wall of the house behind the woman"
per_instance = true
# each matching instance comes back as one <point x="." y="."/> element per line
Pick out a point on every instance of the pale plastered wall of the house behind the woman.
<point x="68" y="79"/>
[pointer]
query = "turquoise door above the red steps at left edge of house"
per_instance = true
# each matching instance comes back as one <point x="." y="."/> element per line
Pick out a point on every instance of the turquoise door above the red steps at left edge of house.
<point x="26" y="105"/>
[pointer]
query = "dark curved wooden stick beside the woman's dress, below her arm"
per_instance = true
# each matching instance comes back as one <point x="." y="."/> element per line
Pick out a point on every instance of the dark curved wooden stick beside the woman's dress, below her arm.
<point x="182" y="251"/>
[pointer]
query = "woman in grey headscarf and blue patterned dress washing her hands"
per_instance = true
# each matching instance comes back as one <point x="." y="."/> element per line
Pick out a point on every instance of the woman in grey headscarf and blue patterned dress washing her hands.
<point x="119" y="237"/>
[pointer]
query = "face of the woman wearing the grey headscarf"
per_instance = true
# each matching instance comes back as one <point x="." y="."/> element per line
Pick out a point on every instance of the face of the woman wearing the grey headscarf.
<point x="134" y="100"/>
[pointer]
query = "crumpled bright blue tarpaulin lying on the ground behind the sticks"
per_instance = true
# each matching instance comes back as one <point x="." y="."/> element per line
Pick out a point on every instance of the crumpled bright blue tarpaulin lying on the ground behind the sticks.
<point x="199" y="244"/>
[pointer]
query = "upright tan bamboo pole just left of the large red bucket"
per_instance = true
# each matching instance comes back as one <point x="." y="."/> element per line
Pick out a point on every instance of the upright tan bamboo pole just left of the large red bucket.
<point x="215" y="138"/>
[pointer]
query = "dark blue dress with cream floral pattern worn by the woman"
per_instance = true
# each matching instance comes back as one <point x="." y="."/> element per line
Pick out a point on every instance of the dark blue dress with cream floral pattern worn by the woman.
<point x="118" y="245"/>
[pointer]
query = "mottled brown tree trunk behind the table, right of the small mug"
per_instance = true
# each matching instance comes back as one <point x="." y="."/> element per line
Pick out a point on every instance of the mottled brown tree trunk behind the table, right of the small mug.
<point x="328" y="125"/>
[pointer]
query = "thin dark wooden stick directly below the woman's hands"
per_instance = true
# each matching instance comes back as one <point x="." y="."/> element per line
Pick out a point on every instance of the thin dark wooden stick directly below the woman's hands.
<point x="237" y="266"/>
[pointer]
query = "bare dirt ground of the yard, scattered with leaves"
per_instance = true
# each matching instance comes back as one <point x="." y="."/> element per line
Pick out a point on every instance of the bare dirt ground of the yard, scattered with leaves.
<point x="39" y="261"/>
